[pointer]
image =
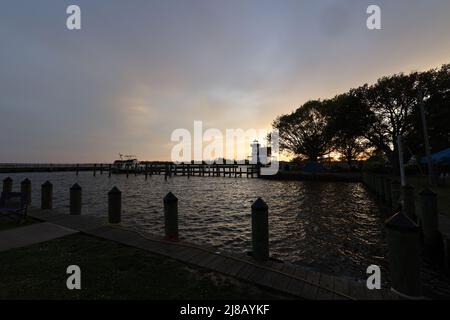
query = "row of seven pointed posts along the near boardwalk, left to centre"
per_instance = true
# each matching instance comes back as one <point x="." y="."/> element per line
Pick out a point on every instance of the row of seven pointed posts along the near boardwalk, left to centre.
<point x="259" y="212"/>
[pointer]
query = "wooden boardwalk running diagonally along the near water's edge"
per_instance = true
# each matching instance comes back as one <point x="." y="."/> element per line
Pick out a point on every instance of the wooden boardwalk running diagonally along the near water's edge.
<point x="290" y="279"/>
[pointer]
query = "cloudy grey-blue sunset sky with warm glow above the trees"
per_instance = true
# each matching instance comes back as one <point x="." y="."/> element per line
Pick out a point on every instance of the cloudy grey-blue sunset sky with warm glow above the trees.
<point x="138" y="70"/>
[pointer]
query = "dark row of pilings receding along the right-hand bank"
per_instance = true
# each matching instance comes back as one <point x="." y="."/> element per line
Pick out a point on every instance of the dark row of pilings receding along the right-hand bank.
<point x="406" y="229"/>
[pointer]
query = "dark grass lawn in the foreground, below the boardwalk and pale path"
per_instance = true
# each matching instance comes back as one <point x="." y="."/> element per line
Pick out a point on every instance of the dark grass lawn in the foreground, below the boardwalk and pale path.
<point x="111" y="271"/>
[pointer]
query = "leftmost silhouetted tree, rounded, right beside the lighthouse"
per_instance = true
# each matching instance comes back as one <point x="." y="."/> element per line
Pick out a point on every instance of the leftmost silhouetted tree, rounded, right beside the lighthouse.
<point x="304" y="132"/>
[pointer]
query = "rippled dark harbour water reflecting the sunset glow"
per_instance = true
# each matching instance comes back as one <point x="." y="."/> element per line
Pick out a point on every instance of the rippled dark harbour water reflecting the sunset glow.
<point x="335" y="227"/>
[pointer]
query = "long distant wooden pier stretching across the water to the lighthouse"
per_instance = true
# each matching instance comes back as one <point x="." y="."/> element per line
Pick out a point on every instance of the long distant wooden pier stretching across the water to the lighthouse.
<point x="169" y="169"/>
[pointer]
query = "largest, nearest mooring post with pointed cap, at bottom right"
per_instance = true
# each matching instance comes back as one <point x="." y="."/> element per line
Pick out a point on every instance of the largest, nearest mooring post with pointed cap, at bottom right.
<point x="404" y="256"/>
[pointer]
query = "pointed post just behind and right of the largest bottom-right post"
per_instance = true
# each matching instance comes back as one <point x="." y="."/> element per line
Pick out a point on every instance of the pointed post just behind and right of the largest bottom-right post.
<point x="429" y="217"/>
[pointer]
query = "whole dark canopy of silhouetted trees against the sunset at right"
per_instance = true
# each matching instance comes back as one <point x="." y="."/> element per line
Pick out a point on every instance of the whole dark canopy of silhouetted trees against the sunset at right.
<point x="371" y="117"/>
